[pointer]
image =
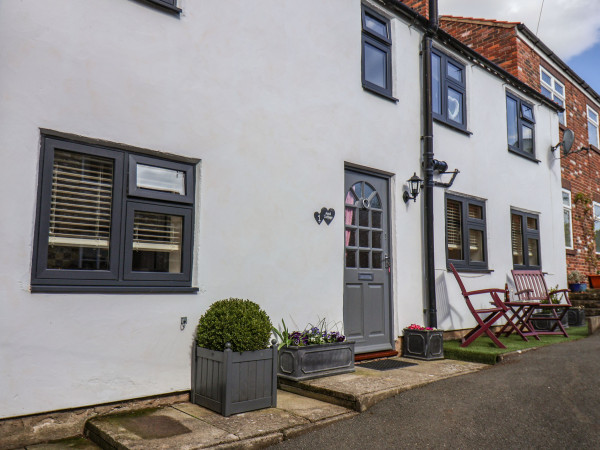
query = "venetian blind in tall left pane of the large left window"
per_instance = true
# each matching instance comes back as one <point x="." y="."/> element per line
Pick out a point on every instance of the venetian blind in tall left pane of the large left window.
<point x="80" y="212"/>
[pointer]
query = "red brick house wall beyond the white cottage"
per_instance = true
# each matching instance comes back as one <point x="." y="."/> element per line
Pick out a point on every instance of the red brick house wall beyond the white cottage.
<point x="516" y="49"/>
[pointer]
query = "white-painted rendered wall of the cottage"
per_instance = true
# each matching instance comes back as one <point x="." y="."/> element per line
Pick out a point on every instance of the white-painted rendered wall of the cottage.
<point x="267" y="94"/>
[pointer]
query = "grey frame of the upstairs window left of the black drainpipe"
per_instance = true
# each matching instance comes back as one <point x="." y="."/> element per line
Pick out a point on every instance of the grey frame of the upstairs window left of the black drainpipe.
<point x="383" y="43"/>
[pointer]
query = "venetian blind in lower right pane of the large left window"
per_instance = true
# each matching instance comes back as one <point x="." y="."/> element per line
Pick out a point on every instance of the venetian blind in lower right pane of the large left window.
<point x="156" y="232"/>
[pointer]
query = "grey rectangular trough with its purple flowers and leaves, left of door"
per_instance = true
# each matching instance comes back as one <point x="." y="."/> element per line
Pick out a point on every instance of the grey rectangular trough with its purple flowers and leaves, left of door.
<point x="312" y="353"/>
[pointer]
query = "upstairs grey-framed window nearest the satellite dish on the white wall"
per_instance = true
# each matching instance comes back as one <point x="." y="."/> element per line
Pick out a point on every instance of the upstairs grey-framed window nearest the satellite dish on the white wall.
<point x="520" y="126"/>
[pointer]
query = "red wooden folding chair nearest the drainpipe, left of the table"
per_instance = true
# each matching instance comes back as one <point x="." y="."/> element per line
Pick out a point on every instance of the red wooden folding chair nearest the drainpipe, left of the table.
<point x="491" y="315"/>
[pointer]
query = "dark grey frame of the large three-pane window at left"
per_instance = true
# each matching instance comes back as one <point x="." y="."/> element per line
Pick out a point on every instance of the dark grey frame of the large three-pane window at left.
<point x="117" y="278"/>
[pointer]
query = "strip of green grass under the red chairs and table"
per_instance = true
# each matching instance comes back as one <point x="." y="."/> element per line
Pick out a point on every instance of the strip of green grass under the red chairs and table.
<point x="483" y="350"/>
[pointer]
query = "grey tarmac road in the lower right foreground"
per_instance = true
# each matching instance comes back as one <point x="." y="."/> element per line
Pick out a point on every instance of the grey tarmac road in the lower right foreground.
<point x="547" y="398"/>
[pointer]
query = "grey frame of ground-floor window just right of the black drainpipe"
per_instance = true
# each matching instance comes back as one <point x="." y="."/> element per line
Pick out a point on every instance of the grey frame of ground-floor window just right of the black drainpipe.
<point x="467" y="224"/>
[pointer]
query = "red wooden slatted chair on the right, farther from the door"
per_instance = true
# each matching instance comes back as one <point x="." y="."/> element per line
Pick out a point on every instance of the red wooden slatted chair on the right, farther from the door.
<point x="531" y="287"/>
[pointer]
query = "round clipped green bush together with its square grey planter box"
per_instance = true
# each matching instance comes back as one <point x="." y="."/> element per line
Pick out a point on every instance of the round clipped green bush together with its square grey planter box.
<point x="232" y="346"/>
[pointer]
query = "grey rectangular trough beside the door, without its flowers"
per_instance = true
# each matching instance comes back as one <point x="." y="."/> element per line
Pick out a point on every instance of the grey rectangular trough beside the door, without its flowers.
<point x="314" y="361"/>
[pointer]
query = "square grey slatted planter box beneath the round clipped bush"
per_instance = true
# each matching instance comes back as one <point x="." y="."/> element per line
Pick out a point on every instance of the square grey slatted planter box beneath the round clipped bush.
<point x="231" y="382"/>
